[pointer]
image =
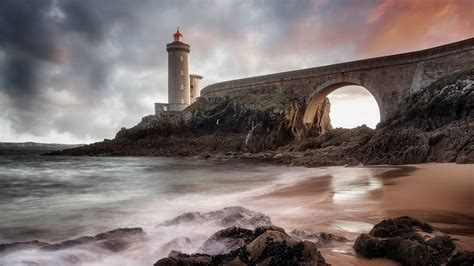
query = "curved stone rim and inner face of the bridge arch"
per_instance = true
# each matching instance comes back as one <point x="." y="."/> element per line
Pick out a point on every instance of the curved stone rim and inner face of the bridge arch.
<point x="318" y="95"/>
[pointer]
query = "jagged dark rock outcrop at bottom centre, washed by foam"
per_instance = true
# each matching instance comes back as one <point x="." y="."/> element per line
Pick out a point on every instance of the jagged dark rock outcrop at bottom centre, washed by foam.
<point x="263" y="246"/>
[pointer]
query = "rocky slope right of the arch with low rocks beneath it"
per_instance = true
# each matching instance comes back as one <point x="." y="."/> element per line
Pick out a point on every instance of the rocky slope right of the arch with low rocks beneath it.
<point x="433" y="125"/>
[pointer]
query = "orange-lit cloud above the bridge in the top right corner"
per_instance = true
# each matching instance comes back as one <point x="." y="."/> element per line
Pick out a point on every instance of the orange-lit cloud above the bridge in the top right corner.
<point x="401" y="25"/>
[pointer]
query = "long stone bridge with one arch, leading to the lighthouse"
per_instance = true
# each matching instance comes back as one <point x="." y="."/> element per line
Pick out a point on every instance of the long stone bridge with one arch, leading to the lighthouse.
<point x="389" y="78"/>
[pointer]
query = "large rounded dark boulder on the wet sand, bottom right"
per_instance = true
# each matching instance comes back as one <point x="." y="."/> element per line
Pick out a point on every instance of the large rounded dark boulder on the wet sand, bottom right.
<point x="405" y="240"/>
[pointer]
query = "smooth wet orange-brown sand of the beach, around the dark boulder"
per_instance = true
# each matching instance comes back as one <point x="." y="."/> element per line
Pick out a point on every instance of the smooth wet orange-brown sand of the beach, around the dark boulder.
<point x="349" y="201"/>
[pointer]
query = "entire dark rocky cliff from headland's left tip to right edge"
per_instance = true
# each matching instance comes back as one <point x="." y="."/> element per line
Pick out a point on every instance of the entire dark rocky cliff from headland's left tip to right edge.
<point x="432" y="125"/>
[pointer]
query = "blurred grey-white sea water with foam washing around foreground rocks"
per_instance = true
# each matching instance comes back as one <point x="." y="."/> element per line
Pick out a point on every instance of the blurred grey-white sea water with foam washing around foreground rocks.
<point x="52" y="199"/>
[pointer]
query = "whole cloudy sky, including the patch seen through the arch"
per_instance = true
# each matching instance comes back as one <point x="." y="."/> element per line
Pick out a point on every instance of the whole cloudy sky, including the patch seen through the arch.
<point x="76" y="71"/>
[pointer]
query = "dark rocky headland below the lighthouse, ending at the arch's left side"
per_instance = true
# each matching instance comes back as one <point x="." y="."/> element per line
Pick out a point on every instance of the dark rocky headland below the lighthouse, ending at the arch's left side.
<point x="251" y="122"/>
